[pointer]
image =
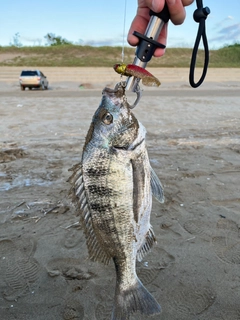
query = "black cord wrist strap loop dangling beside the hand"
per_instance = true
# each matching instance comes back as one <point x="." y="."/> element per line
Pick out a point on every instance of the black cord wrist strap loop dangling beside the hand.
<point x="200" y="16"/>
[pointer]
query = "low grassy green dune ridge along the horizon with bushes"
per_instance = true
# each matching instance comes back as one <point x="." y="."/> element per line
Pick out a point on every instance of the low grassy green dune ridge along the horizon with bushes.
<point x="67" y="55"/>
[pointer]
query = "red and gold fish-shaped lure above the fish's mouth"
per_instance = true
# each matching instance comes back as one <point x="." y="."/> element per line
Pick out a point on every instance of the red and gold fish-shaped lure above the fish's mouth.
<point x="130" y="70"/>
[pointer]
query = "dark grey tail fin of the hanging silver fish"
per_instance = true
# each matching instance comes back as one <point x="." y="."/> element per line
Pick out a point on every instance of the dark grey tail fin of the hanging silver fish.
<point x="134" y="299"/>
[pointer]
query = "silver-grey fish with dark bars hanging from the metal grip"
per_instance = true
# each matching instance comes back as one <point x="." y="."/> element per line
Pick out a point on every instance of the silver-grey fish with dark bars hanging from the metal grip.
<point x="112" y="188"/>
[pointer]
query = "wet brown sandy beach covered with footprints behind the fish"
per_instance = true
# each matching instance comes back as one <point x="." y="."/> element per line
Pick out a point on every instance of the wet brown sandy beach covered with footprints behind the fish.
<point x="193" y="139"/>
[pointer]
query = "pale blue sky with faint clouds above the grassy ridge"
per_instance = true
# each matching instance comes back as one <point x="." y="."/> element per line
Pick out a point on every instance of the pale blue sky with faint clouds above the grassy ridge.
<point x="101" y="22"/>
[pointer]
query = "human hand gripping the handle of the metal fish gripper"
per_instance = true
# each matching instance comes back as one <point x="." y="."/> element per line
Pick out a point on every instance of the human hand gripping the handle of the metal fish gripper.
<point x="140" y="22"/>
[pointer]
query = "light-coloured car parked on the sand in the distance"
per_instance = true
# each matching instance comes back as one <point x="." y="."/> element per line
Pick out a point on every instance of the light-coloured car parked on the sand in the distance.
<point x="33" y="79"/>
